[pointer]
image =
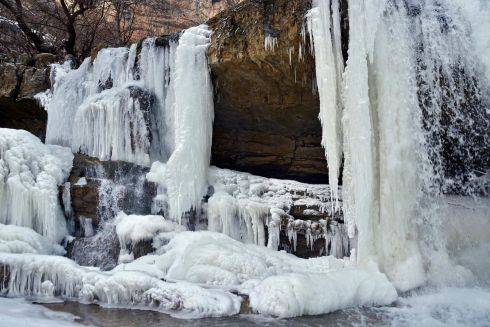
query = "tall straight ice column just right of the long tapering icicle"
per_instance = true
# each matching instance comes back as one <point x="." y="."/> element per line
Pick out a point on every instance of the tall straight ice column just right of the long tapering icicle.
<point x="359" y="174"/>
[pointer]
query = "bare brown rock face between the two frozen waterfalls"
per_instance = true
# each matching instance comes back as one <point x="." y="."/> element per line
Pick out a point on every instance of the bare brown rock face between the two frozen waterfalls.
<point x="266" y="110"/>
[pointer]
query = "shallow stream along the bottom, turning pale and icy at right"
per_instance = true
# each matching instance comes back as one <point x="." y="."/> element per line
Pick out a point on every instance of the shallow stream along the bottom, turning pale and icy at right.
<point x="426" y="308"/>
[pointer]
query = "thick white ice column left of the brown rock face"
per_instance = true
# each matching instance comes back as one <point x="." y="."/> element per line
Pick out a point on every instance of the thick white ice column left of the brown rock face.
<point x="187" y="168"/>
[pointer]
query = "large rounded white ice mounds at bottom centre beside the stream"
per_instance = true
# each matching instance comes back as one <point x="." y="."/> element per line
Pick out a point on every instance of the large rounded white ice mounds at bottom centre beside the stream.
<point x="278" y="283"/>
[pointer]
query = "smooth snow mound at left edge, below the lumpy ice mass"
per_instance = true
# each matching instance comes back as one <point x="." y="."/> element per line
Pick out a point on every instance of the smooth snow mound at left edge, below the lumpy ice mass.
<point x="16" y="239"/>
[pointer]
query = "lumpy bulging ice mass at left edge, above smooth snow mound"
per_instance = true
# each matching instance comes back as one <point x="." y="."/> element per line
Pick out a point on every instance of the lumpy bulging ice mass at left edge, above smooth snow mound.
<point x="30" y="173"/>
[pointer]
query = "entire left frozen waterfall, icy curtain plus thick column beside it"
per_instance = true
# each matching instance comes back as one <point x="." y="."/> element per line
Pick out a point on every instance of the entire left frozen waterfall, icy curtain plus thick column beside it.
<point x="157" y="105"/>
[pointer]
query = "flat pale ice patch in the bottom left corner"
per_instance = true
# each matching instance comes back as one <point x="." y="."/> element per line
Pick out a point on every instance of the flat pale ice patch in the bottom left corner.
<point x="19" y="312"/>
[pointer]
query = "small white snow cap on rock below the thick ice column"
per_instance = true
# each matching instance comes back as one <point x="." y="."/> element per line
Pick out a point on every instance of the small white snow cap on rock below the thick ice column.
<point x="131" y="229"/>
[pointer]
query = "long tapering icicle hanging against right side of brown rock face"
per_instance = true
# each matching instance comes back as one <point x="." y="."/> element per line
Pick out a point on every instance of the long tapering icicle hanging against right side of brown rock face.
<point x="325" y="35"/>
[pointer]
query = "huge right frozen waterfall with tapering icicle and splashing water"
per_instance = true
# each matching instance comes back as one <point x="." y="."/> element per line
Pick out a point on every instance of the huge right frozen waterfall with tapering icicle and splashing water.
<point x="414" y="124"/>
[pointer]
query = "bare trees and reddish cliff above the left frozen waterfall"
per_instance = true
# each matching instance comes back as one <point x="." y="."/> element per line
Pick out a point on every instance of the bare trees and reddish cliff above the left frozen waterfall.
<point x="76" y="27"/>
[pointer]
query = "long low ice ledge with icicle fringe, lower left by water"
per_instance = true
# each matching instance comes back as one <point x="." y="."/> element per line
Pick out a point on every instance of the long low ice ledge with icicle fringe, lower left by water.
<point x="30" y="275"/>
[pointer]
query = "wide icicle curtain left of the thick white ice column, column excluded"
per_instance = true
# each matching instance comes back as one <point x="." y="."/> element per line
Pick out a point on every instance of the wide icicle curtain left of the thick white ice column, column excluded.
<point x="113" y="108"/>
